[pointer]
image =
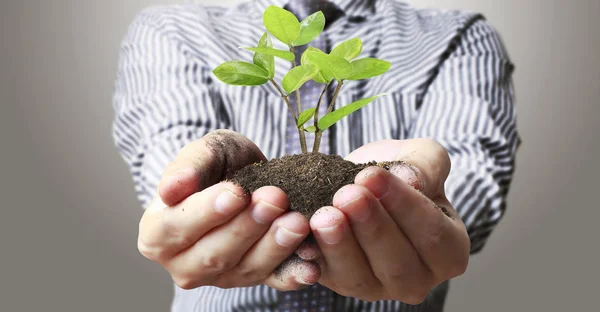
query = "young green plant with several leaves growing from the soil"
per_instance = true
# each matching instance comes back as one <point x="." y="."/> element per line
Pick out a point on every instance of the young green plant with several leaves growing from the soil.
<point x="339" y="65"/>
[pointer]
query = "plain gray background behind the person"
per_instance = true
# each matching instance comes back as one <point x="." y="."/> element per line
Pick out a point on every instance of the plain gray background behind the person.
<point x="68" y="222"/>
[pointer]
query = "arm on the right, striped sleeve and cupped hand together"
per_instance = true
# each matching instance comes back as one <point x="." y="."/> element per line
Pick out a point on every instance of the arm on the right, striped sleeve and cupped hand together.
<point x="403" y="232"/>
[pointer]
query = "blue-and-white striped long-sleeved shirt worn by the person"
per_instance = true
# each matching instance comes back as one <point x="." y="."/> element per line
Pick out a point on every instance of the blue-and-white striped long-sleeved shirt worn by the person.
<point x="450" y="80"/>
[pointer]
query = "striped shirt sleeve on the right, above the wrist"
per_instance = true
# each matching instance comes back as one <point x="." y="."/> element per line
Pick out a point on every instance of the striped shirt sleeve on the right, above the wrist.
<point x="469" y="109"/>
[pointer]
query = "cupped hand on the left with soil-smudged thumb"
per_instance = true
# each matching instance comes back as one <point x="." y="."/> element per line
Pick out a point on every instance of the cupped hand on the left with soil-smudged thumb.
<point x="209" y="233"/>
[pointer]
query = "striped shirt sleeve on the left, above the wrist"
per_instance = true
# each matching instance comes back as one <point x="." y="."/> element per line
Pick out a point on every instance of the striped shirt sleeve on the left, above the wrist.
<point x="163" y="99"/>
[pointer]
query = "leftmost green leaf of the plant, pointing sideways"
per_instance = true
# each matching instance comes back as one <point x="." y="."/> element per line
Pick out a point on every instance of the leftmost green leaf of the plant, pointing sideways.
<point x="240" y="73"/>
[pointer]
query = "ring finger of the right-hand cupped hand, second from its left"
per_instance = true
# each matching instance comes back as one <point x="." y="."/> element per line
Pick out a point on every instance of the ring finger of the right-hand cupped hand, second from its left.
<point x="393" y="259"/>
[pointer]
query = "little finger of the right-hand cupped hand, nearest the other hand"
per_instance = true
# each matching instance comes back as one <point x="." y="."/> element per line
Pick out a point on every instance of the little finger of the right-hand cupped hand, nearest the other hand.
<point x="346" y="268"/>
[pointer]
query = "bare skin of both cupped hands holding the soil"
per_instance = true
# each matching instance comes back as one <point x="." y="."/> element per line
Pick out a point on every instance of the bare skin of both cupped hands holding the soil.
<point x="384" y="237"/>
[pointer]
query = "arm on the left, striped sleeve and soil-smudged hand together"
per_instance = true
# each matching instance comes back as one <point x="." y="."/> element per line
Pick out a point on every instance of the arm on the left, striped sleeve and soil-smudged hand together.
<point x="201" y="231"/>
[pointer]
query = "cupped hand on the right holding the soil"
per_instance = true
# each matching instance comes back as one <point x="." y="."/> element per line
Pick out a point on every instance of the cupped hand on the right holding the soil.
<point x="392" y="235"/>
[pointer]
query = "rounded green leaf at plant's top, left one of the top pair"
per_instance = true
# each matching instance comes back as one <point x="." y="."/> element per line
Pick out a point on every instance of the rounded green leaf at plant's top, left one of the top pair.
<point x="282" y="24"/>
